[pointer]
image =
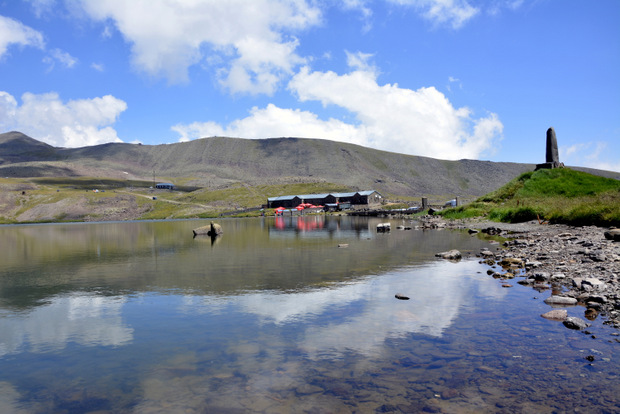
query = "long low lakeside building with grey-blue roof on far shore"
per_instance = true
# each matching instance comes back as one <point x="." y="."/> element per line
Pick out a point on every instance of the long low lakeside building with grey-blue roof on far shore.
<point x="359" y="198"/>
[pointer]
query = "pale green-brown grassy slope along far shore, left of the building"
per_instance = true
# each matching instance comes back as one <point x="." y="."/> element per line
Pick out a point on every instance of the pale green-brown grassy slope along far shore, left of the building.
<point x="58" y="199"/>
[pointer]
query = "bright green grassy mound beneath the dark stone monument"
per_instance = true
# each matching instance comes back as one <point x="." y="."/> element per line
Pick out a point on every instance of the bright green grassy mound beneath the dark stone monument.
<point x="558" y="196"/>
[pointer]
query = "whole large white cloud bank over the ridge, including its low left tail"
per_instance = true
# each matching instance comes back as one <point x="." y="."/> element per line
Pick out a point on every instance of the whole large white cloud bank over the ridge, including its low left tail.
<point x="421" y="122"/>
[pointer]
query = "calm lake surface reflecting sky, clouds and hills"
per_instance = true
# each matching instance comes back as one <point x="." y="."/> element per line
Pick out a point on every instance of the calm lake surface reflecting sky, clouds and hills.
<point x="275" y="317"/>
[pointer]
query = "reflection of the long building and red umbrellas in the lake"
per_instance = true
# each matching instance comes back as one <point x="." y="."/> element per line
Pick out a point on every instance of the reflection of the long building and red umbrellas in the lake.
<point x="317" y="226"/>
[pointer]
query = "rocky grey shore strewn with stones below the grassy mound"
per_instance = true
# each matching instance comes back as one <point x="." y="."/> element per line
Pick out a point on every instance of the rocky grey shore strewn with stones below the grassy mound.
<point x="577" y="266"/>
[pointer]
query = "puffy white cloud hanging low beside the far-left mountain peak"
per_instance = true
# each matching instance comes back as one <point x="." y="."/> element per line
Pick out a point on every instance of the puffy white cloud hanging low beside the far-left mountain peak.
<point x="76" y="123"/>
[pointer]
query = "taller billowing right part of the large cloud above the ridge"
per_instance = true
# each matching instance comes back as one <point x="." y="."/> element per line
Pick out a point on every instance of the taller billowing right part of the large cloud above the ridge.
<point x="421" y="122"/>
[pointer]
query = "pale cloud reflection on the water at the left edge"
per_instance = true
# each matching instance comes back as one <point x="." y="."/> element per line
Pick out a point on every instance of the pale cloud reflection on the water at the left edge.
<point x="88" y="320"/>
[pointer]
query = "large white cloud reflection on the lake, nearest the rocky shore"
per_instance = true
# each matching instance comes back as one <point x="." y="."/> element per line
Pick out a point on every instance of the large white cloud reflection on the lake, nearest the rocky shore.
<point x="439" y="292"/>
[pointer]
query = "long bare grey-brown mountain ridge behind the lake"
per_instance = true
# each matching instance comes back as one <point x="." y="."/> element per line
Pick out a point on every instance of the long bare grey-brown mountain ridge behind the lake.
<point x="221" y="161"/>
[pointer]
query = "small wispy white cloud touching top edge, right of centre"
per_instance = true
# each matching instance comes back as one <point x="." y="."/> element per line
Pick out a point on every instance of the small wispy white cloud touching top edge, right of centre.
<point x="451" y="12"/>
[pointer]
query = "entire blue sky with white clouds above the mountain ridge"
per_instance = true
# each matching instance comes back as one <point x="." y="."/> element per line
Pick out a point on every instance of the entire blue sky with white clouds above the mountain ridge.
<point x="447" y="79"/>
